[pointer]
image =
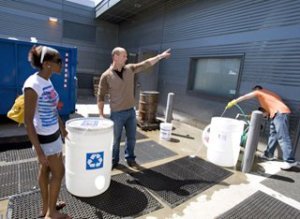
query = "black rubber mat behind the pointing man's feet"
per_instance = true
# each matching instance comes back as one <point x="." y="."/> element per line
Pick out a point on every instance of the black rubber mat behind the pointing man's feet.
<point x="148" y="151"/>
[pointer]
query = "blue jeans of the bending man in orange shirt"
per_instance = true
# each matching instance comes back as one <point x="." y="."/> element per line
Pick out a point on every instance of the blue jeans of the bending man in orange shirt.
<point x="279" y="131"/>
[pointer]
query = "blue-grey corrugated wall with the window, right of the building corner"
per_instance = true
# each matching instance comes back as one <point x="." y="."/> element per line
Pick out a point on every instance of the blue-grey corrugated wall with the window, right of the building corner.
<point x="267" y="33"/>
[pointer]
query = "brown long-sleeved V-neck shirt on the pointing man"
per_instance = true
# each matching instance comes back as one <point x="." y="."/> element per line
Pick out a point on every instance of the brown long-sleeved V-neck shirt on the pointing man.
<point x="121" y="91"/>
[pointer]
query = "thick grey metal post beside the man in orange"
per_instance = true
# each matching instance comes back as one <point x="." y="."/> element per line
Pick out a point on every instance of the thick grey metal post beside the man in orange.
<point x="252" y="140"/>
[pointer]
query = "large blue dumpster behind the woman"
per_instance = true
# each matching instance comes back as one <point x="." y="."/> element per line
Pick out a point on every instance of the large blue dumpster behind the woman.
<point x="15" y="69"/>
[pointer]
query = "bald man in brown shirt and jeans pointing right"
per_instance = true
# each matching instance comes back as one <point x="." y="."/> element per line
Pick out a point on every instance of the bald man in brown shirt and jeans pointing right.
<point x="118" y="82"/>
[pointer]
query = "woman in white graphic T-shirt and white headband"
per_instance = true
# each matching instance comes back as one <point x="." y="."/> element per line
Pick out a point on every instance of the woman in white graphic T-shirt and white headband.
<point x="44" y="126"/>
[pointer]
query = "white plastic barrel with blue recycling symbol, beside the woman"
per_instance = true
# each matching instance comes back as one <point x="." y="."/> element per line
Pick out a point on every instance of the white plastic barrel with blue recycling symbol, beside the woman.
<point x="88" y="156"/>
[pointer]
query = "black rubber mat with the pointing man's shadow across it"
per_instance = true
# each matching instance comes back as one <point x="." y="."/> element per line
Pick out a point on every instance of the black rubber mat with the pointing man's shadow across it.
<point x="179" y="180"/>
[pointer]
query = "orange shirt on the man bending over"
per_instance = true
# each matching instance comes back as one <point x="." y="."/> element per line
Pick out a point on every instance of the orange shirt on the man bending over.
<point x="271" y="102"/>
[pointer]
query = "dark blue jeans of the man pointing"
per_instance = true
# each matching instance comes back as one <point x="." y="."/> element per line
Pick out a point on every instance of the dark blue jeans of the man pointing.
<point x="127" y="119"/>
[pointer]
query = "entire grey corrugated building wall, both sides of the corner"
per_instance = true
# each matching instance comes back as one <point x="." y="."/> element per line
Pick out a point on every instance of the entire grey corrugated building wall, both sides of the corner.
<point x="267" y="33"/>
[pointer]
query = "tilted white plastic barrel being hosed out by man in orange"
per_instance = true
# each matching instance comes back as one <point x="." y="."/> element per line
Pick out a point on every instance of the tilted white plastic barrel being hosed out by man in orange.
<point x="223" y="146"/>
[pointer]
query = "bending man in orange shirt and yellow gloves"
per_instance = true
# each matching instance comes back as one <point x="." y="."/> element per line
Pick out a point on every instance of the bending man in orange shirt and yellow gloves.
<point x="279" y="124"/>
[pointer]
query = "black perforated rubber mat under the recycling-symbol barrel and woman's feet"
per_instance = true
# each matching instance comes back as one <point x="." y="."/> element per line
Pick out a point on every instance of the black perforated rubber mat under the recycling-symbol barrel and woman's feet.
<point x="122" y="199"/>
